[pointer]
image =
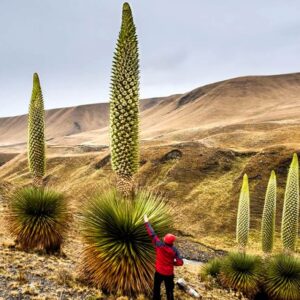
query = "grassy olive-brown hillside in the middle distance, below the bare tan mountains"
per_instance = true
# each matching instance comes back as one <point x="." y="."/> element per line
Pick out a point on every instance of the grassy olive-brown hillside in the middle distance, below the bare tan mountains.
<point x="201" y="183"/>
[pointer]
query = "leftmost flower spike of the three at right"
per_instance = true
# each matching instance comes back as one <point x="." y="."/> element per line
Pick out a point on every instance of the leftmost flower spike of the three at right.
<point x="243" y="218"/>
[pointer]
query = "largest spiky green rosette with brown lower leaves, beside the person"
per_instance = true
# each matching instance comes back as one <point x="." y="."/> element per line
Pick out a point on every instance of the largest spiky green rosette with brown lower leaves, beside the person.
<point x="119" y="255"/>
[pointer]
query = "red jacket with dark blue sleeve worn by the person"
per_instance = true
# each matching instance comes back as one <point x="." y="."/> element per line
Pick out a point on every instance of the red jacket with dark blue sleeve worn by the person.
<point x="167" y="256"/>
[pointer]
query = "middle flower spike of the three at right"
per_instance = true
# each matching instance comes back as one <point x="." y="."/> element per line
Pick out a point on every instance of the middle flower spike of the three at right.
<point x="268" y="218"/>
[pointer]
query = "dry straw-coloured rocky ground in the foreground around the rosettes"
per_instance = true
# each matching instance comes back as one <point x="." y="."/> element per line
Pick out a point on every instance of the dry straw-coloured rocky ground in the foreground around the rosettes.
<point x="35" y="275"/>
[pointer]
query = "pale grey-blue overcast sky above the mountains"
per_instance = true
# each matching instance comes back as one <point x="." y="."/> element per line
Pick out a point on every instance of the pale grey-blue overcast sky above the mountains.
<point x="183" y="44"/>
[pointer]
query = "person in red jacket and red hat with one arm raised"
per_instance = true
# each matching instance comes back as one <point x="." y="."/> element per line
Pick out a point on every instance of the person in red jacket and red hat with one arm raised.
<point x="167" y="256"/>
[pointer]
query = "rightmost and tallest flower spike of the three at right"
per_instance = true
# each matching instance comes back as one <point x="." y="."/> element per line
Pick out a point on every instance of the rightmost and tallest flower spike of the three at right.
<point x="289" y="226"/>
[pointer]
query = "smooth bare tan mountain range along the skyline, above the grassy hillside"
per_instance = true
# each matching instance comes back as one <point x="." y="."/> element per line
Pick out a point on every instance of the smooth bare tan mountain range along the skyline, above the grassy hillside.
<point x="264" y="102"/>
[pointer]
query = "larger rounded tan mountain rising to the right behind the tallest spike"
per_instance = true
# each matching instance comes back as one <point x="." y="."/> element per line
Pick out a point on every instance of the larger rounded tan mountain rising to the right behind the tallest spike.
<point x="251" y="111"/>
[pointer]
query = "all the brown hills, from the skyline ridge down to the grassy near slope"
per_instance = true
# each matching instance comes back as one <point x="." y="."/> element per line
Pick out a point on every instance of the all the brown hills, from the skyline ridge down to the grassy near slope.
<point x="215" y="133"/>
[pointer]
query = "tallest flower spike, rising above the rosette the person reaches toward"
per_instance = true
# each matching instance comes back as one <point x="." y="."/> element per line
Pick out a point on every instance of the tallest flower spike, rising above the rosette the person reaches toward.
<point x="124" y="104"/>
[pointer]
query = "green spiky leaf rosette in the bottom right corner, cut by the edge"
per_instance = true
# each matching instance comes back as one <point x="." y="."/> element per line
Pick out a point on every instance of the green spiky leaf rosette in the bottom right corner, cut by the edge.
<point x="283" y="278"/>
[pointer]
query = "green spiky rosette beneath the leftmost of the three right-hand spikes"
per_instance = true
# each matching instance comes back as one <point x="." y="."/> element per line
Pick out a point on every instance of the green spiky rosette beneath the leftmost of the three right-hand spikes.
<point x="242" y="272"/>
